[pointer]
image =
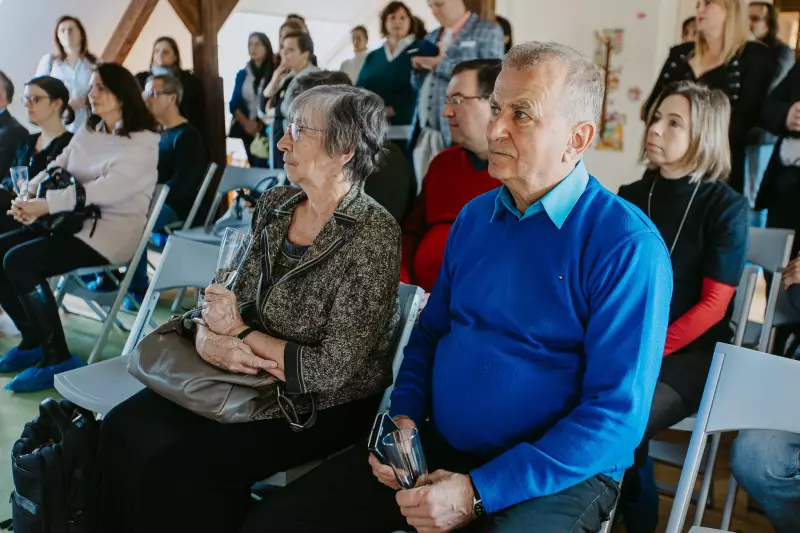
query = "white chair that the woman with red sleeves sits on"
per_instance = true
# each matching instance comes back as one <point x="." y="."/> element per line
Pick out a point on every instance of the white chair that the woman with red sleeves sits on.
<point x="675" y="454"/>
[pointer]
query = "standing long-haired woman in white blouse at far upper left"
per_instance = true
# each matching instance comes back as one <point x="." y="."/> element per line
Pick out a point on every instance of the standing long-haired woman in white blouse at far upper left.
<point x="72" y="63"/>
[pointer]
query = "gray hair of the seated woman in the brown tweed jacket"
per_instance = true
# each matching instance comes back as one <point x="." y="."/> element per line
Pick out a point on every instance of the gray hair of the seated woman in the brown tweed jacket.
<point x="353" y="119"/>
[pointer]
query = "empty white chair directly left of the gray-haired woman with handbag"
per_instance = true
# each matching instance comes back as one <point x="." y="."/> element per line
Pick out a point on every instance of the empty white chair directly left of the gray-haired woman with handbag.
<point x="102" y="386"/>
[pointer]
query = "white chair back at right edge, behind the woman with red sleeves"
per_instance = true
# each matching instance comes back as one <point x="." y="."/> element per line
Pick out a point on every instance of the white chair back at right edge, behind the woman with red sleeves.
<point x="770" y="248"/>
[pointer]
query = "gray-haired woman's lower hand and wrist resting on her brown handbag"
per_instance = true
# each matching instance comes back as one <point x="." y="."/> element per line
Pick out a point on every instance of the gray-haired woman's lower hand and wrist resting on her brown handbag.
<point x="229" y="353"/>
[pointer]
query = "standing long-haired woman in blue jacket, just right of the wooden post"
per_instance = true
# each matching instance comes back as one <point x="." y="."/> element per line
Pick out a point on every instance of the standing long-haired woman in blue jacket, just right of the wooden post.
<point x="250" y="83"/>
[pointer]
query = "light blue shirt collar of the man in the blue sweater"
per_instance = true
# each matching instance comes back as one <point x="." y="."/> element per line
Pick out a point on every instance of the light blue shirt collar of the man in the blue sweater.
<point x="558" y="203"/>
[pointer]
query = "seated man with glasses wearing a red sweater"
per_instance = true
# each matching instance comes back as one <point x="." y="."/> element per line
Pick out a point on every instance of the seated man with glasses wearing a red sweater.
<point x="456" y="176"/>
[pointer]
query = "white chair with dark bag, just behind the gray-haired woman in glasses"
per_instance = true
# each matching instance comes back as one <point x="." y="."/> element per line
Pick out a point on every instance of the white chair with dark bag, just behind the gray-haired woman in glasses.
<point x="232" y="179"/>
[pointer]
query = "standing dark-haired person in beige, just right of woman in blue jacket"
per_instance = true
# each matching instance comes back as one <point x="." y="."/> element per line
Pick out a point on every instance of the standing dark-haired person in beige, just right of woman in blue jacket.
<point x="297" y="51"/>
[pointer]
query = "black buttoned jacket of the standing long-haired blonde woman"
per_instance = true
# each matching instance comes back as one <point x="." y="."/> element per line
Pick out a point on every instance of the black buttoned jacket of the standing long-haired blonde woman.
<point x="745" y="79"/>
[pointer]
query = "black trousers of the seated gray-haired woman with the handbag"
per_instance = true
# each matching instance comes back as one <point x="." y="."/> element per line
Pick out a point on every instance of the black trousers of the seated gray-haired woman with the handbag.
<point x="166" y="469"/>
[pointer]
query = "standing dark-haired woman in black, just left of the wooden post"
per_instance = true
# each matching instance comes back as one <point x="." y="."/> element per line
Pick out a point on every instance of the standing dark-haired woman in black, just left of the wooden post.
<point x="166" y="60"/>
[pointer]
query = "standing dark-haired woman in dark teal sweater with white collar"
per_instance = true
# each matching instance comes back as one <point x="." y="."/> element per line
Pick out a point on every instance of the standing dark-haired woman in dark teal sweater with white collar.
<point x="387" y="70"/>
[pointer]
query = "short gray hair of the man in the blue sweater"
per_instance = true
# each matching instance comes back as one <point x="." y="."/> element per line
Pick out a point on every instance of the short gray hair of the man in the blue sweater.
<point x="584" y="84"/>
